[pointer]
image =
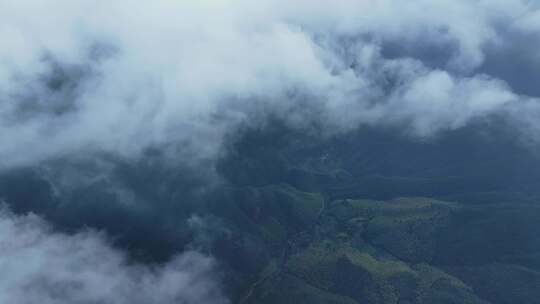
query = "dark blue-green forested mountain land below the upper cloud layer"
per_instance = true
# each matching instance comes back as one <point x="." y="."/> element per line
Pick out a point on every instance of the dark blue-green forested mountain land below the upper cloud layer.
<point x="370" y="217"/>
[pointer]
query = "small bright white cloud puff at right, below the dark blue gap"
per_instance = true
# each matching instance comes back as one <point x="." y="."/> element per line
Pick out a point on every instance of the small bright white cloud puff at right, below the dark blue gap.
<point x="437" y="100"/>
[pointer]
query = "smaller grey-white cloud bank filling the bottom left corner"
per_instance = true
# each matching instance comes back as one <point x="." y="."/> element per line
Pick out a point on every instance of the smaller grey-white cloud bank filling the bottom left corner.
<point x="40" y="266"/>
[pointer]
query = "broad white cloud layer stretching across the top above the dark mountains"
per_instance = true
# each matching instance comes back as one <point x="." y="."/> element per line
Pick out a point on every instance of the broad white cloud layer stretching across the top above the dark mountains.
<point x="119" y="76"/>
